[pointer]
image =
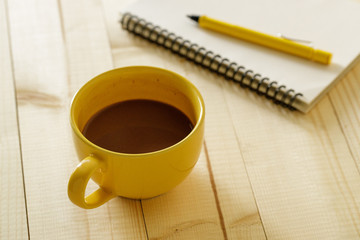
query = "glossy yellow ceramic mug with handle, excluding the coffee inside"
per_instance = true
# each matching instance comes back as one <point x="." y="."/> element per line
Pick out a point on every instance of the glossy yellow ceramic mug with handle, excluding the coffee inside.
<point x="137" y="176"/>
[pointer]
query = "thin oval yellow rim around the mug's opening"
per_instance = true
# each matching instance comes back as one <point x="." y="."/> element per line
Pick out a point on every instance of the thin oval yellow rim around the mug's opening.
<point x="79" y="134"/>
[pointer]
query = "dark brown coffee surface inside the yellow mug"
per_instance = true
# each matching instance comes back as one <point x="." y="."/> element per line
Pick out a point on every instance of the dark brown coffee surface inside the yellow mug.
<point x="137" y="126"/>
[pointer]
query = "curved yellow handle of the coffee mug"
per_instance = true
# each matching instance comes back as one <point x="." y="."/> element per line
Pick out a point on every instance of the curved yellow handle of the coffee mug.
<point x="78" y="182"/>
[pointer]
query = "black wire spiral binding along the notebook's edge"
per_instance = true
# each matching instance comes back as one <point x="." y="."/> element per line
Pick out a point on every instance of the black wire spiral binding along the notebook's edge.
<point x="214" y="62"/>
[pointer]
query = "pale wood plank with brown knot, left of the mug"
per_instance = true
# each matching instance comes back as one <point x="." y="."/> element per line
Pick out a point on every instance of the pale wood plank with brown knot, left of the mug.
<point x="41" y="82"/>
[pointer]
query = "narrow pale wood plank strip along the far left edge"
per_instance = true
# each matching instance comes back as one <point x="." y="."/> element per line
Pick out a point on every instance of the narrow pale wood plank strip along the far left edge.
<point x="13" y="220"/>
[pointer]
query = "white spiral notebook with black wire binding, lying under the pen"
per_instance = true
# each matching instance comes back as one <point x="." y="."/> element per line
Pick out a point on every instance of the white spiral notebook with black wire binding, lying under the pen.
<point x="288" y="80"/>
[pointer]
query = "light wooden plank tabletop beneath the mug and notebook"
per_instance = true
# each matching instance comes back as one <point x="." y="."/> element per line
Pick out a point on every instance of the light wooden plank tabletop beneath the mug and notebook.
<point x="264" y="171"/>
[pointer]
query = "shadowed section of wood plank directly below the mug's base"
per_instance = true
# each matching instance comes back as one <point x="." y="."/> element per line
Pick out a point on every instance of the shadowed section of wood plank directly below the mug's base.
<point x="188" y="211"/>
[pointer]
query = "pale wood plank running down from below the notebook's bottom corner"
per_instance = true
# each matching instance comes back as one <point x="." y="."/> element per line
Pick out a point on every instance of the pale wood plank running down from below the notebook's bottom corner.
<point x="304" y="178"/>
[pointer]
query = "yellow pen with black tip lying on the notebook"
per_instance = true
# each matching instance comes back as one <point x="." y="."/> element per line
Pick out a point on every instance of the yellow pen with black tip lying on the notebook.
<point x="281" y="44"/>
